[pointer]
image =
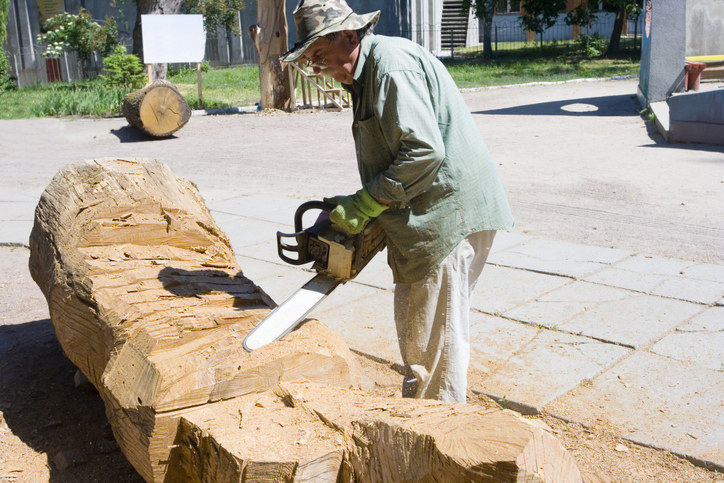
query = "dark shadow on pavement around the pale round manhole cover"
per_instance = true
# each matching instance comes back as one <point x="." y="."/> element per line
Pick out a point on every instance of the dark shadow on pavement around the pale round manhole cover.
<point x="609" y="106"/>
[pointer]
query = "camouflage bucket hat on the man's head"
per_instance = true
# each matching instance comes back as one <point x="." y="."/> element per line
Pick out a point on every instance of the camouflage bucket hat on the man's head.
<point x="317" y="18"/>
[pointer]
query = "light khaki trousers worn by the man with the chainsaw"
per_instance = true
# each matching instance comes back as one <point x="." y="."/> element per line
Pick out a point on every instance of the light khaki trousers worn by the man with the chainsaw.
<point x="433" y="323"/>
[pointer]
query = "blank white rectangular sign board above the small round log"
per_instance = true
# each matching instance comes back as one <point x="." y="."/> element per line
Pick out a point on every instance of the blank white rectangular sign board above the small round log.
<point x="171" y="39"/>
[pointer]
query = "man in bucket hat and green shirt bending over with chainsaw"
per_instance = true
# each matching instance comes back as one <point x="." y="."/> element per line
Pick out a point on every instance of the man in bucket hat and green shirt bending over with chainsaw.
<point x="426" y="175"/>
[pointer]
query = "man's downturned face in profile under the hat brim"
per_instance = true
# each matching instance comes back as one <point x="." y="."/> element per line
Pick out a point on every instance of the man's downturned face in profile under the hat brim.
<point x="336" y="58"/>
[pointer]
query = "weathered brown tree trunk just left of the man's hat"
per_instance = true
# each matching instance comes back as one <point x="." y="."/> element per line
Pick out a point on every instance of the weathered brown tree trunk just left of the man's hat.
<point x="270" y="40"/>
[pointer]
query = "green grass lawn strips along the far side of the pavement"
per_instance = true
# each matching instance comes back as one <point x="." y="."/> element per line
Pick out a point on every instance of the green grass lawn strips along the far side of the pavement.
<point x="239" y="86"/>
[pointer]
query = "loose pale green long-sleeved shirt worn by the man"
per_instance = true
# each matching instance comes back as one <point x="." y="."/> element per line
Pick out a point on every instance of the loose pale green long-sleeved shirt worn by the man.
<point x="418" y="146"/>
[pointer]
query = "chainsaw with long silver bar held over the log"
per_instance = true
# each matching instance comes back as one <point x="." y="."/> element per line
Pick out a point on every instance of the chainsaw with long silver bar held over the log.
<point x="336" y="257"/>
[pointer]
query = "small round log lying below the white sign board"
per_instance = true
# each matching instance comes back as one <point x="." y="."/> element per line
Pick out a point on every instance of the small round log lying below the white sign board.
<point x="158" y="109"/>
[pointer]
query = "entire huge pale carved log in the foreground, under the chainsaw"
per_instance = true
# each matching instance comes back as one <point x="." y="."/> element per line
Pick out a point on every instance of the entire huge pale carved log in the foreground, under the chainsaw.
<point x="147" y="300"/>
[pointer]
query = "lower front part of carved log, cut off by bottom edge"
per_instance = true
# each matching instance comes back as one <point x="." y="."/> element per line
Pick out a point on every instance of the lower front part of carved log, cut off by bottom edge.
<point x="304" y="431"/>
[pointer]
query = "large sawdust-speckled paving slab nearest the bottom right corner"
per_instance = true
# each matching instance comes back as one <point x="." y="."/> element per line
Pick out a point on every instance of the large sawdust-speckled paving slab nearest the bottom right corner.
<point x="656" y="401"/>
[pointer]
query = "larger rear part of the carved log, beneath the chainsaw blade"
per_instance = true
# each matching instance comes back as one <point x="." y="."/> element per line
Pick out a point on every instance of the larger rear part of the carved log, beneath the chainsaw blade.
<point x="146" y="298"/>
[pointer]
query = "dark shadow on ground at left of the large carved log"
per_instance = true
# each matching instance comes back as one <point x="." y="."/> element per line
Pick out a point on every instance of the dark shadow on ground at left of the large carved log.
<point x="43" y="408"/>
